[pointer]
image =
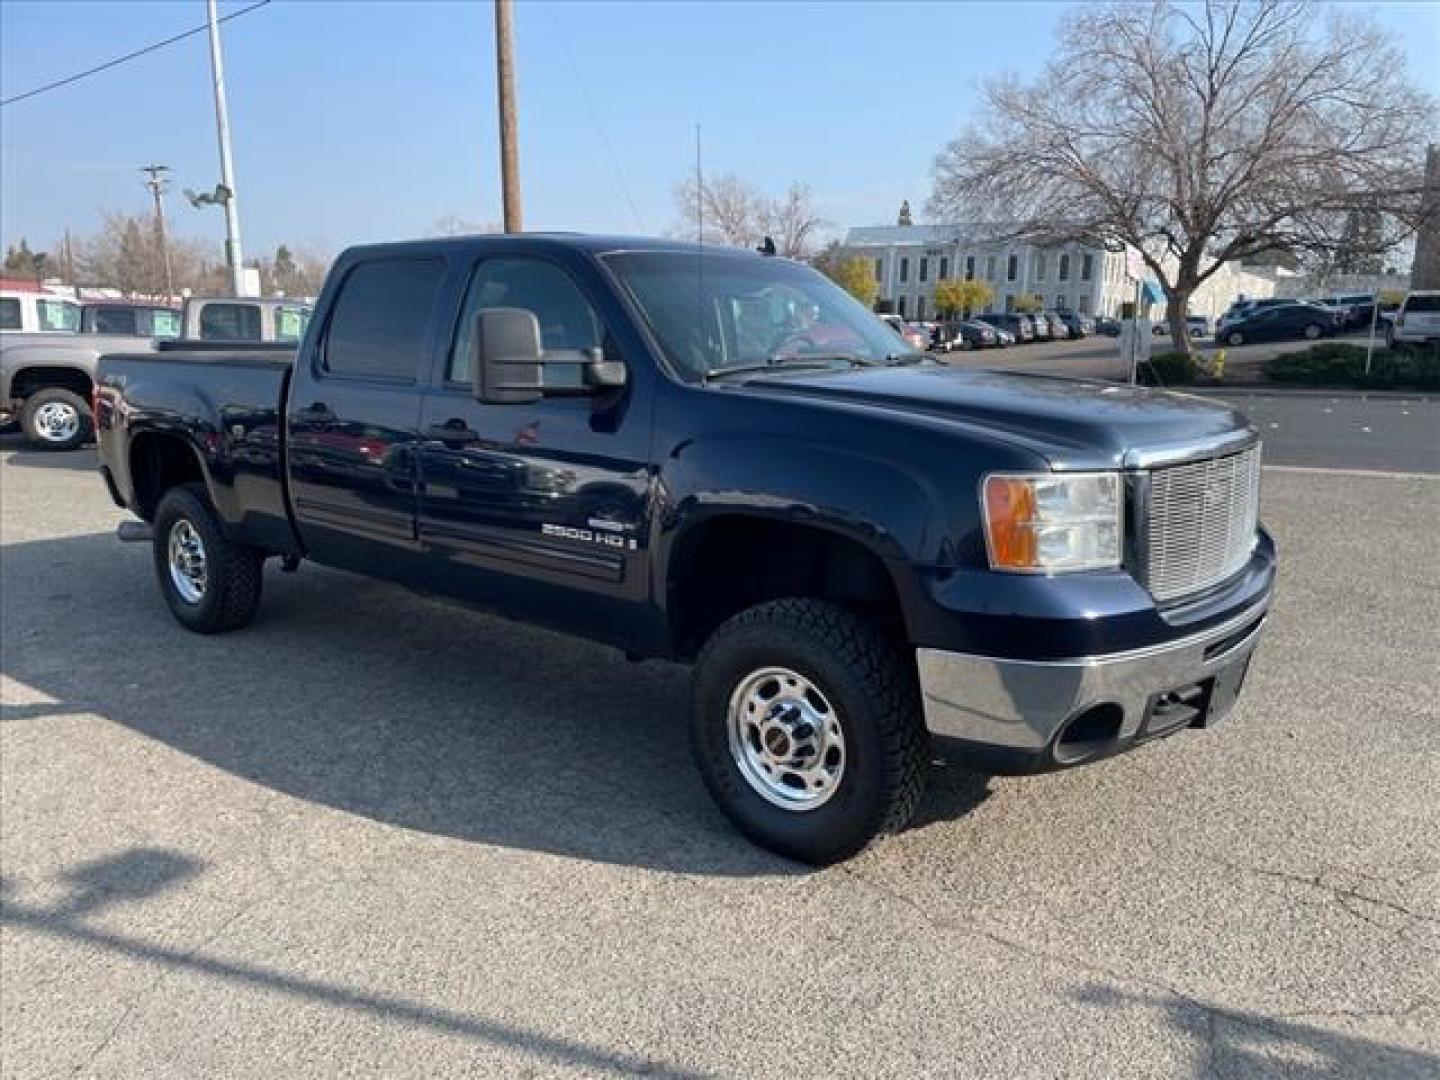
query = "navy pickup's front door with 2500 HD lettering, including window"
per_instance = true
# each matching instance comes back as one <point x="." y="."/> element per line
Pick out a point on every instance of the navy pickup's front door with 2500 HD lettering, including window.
<point x="539" y="510"/>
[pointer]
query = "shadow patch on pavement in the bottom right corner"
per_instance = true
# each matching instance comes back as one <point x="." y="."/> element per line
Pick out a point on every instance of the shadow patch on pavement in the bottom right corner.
<point x="1248" y="1045"/>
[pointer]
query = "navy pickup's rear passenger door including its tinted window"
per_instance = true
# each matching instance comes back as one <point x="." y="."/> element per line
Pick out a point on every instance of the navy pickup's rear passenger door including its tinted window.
<point x="355" y="417"/>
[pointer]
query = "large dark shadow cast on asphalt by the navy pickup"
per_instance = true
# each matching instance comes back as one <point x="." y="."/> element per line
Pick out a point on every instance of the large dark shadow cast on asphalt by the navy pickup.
<point x="364" y="698"/>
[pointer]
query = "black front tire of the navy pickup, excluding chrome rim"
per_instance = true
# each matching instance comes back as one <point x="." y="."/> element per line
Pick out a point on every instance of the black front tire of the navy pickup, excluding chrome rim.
<point x="875" y="695"/>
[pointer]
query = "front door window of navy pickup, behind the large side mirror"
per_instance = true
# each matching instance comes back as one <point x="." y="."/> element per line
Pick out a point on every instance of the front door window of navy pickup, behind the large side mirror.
<point x="568" y="323"/>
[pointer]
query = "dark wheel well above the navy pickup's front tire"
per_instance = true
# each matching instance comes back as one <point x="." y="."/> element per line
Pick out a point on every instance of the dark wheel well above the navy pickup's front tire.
<point x="732" y="564"/>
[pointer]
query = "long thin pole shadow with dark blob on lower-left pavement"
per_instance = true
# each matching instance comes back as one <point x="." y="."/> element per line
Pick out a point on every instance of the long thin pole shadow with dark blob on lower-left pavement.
<point x="142" y="873"/>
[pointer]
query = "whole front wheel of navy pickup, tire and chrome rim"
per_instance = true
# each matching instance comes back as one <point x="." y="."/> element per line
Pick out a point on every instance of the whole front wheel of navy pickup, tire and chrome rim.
<point x="807" y="729"/>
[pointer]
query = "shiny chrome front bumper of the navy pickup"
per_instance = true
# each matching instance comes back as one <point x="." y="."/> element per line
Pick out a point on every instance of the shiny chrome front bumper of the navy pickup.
<point x="1020" y="708"/>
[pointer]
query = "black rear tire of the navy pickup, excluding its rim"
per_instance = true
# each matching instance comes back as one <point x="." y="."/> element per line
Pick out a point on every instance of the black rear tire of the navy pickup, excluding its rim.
<point x="234" y="572"/>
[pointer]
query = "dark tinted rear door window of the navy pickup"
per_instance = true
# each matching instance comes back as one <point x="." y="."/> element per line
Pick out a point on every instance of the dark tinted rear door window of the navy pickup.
<point x="381" y="319"/>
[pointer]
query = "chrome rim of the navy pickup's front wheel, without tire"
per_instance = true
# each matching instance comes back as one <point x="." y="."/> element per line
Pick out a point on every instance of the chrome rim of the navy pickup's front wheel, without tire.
<point x="786" y="739"/>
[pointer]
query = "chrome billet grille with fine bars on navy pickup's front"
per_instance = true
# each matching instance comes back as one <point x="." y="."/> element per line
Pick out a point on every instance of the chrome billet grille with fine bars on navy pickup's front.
<point x="1200" y="523"/>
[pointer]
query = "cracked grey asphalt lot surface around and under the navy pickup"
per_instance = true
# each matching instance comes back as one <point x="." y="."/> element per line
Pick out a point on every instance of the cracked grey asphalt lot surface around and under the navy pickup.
<point x="375" y="836"/>
